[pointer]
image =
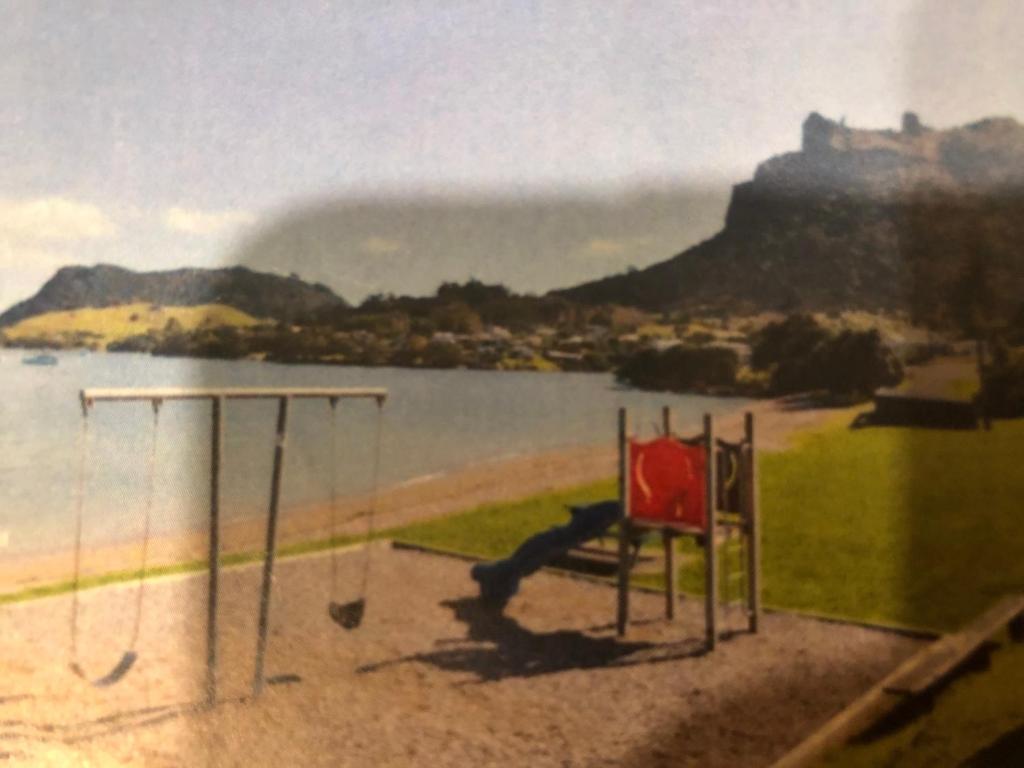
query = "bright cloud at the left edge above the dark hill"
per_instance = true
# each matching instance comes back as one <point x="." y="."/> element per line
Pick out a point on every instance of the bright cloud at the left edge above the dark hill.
<point x="53" y="220"/>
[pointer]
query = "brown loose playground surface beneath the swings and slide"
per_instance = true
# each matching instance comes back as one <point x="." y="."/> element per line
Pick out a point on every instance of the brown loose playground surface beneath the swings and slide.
<point x="430" y="678"/>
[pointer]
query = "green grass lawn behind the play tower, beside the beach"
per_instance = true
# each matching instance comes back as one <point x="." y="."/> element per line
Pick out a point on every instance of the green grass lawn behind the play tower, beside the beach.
<point x="904" y="527"/>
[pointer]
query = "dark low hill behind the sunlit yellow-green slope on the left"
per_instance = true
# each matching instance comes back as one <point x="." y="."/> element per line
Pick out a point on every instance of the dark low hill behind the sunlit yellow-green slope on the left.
<point x="257" y="294"/>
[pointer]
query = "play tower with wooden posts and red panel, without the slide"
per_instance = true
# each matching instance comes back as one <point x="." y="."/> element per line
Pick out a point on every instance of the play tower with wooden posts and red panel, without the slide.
<point x="674" y="487"/>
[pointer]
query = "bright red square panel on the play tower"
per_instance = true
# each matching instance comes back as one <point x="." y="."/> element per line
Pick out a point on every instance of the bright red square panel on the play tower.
<point x="667" y="482"/>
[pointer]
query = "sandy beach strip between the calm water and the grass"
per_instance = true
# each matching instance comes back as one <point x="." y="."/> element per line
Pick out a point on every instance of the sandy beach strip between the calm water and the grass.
<point x="499" y="481"/>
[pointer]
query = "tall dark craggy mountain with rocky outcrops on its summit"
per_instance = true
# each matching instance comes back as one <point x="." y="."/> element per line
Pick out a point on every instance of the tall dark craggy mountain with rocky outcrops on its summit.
<point x="858" y="220"/>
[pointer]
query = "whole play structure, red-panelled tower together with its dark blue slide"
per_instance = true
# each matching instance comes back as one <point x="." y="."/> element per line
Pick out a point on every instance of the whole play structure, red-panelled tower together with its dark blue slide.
<point x="663" y="491"/>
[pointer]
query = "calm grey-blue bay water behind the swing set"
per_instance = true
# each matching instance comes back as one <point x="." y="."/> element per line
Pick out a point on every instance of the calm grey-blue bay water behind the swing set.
<point x="434" y="422"/>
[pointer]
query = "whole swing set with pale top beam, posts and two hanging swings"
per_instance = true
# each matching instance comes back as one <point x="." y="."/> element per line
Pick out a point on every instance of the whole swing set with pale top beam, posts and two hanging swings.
<point x="347" y="615"/>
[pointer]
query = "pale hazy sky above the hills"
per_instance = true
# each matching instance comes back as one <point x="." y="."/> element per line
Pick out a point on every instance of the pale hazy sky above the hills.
<point x="157" y="135"/>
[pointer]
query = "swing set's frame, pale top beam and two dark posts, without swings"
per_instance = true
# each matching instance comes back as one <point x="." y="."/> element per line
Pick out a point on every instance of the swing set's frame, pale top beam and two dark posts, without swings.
<point x="218" y="398"/>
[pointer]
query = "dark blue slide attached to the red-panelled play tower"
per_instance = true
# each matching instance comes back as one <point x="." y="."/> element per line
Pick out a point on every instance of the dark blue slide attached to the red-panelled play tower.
<point x="500" y="580"/>
